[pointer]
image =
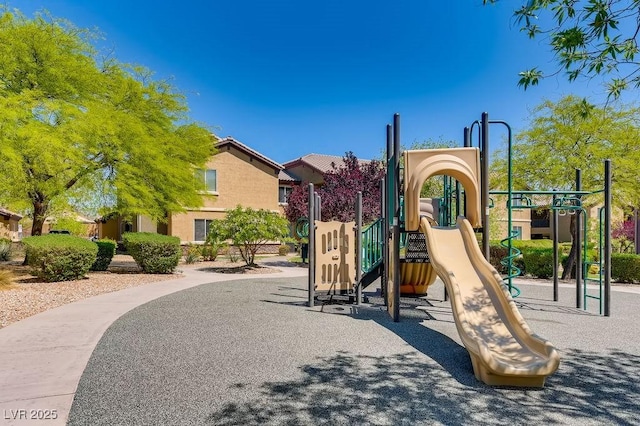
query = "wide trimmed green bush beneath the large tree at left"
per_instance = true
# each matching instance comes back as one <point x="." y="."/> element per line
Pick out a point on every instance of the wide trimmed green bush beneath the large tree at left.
<point x="58" y="257"/>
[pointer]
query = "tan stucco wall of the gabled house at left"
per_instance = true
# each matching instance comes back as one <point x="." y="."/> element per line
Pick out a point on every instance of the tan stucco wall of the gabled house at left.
<point x="241" y="180"/>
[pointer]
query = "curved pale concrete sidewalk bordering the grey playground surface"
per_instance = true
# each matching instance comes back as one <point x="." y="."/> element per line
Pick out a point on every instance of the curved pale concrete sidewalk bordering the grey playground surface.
<point x="42" y="357"/>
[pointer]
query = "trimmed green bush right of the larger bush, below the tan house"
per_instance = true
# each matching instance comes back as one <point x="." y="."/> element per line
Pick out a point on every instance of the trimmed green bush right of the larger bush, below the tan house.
<point x="154" y="253"/>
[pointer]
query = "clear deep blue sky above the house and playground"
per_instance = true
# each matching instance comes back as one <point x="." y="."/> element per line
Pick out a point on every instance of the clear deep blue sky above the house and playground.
<point x="291" y="77"/>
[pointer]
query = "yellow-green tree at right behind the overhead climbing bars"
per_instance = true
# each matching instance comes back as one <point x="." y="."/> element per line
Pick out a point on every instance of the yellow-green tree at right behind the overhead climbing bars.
<point x="572" y="134"/>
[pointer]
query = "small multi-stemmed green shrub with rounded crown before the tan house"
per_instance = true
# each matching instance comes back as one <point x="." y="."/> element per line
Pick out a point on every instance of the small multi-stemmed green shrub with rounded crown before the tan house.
<point x="250" y="229"/>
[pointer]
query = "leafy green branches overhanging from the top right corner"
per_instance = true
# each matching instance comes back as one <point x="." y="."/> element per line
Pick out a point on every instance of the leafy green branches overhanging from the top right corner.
<point x="588" y="38"/>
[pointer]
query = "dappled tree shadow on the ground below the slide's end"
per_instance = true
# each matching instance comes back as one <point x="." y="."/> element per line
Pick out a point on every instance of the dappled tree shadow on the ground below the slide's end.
<point x="591" y="388"/>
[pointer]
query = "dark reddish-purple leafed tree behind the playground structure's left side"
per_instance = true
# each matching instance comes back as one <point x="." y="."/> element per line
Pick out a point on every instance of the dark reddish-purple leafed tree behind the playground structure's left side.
<point x="339" y="190"/>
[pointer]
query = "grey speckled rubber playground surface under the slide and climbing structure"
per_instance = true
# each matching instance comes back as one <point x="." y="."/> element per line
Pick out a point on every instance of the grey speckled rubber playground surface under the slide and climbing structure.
<point x="251" y="352"/>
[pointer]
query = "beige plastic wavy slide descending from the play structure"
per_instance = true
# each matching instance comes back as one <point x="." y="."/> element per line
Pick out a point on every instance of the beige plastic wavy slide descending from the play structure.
<point x="503" y="350"/>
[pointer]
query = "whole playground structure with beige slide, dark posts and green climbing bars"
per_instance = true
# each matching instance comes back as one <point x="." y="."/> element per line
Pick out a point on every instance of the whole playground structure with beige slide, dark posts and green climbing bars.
<point x="503" y="350"/>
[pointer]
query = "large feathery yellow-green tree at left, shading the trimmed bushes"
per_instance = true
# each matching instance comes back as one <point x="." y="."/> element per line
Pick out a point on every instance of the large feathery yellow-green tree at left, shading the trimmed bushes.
<point x="76" y="127"/>
